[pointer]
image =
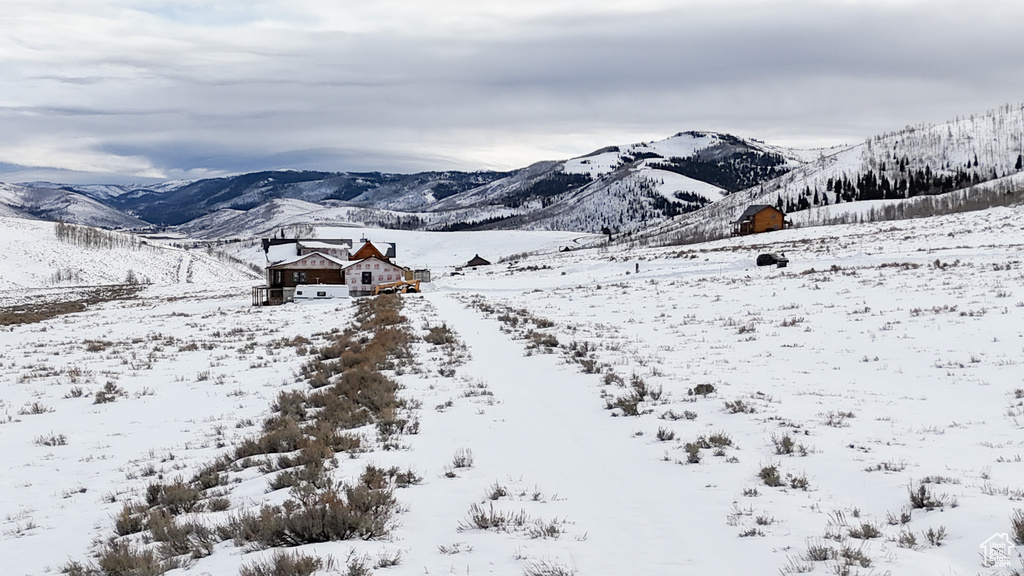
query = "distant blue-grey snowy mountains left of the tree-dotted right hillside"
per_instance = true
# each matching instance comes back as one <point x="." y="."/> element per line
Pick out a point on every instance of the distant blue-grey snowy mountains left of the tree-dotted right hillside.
<point x="621" y="188"/>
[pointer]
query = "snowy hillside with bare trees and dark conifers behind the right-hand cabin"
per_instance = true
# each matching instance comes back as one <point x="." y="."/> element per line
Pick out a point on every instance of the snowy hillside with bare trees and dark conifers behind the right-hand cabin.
<point x="969" y="163"/>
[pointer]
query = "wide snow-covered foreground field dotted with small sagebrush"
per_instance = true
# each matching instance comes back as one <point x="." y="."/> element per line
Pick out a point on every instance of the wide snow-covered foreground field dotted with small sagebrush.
<point x="886" y="357"/>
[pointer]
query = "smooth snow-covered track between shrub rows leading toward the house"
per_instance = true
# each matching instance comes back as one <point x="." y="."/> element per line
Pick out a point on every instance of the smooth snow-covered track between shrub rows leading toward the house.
<point x="549" y="429"/>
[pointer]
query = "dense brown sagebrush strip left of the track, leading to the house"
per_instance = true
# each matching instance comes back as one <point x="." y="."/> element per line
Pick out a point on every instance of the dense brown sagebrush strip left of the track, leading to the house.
<point x="301" y="439"/>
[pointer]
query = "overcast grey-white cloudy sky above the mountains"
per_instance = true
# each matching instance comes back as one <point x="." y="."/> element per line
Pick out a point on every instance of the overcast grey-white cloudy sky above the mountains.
<point x="139" y="91"/>
